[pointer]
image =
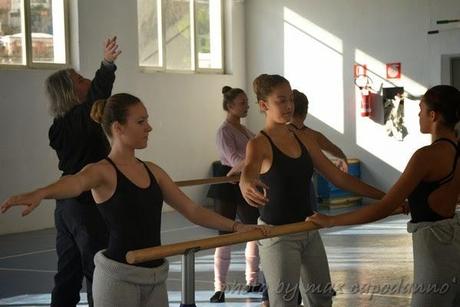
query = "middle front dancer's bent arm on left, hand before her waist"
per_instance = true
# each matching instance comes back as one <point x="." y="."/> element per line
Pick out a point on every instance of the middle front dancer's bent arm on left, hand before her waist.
<point x="250" y="183"/>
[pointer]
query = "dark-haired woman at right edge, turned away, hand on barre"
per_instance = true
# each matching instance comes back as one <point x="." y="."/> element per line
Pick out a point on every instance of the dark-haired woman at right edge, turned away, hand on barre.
<point x="431" y="183"/>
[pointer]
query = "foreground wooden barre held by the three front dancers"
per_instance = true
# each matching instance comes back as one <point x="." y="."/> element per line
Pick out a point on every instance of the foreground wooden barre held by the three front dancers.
<point x="151" y="253"/>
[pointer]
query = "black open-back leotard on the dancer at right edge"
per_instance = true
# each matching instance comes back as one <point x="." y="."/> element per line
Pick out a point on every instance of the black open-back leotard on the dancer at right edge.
<point x="418" y="199"/>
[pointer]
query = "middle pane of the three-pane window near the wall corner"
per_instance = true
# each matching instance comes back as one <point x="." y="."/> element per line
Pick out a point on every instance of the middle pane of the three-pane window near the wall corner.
<point x="177" y="34"/>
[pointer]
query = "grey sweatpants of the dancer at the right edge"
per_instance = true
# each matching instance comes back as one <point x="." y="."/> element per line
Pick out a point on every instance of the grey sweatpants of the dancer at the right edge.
<point x="436" y="248"/>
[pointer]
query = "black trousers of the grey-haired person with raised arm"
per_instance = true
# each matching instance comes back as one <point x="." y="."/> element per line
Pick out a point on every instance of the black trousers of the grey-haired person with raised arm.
<point x="81" y="232"/>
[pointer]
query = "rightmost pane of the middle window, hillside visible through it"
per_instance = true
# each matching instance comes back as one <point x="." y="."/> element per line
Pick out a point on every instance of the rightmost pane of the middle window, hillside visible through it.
<point x="209" y="33"/>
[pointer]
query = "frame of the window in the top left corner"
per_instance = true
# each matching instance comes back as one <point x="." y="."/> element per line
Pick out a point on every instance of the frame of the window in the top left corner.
<point x="29" y="64"/>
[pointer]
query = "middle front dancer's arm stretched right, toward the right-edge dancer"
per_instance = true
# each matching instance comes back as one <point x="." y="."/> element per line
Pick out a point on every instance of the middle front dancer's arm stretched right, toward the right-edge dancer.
<point x="334" y="175"/>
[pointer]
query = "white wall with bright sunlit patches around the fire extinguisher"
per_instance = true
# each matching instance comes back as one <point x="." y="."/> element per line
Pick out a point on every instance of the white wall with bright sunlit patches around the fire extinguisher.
<point x="315" y="43"/>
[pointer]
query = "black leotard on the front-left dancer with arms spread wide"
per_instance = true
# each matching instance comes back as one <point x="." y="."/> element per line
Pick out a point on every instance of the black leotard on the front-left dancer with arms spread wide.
<point x="133" y="217"/>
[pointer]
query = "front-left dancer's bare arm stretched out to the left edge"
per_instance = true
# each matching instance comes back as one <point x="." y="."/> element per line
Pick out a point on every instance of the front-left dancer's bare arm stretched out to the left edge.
<point x="90" y="177"/>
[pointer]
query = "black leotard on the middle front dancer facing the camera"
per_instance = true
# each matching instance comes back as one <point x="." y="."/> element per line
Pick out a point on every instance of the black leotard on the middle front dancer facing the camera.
<point x="288" y="180"/>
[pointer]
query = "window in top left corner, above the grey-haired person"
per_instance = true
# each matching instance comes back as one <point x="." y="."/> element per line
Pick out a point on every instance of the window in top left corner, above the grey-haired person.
<point x="33" y="33"/>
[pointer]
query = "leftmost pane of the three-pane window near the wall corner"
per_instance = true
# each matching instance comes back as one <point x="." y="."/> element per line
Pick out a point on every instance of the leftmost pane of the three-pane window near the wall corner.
<point x="149" y="32"/>
